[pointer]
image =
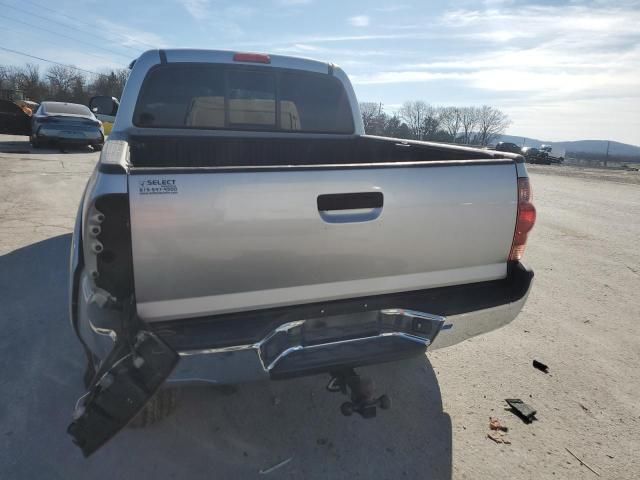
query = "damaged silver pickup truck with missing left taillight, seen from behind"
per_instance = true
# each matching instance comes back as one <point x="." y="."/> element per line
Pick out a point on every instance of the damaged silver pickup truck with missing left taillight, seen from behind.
<point x="240" y="226"/>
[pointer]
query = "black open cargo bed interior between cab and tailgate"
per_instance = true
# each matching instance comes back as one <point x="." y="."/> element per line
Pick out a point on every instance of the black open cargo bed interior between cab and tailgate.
<point x="160" y="151"/>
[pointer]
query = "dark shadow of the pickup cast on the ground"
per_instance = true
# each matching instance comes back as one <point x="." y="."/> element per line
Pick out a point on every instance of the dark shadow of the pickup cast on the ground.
<point x="213" y="434"/>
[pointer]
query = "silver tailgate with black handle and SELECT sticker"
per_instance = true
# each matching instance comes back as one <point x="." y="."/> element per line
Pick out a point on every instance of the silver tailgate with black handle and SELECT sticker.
<point x="211" y="241"/>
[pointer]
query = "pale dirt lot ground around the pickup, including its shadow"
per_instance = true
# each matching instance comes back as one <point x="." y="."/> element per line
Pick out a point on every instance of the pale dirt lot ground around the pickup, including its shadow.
<point x="582" y="319"/>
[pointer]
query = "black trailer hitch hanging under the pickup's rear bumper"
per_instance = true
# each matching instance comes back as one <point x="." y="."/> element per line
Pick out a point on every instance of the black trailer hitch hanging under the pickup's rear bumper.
<point x="361" y="391"/>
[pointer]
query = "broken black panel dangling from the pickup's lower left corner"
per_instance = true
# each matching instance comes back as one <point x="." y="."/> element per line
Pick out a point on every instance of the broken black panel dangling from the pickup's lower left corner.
<point x="130" y="376"/>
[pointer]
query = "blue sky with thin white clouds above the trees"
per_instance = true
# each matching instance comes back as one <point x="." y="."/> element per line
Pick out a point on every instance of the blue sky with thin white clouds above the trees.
<point x="560" y="70"/>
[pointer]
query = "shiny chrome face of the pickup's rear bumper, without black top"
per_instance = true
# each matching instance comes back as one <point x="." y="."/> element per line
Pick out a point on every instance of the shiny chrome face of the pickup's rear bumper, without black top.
<point x="313" y="345"/>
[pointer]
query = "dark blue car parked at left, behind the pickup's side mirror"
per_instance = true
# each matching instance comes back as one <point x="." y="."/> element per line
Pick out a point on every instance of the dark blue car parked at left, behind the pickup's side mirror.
<point x="64" y="123"/>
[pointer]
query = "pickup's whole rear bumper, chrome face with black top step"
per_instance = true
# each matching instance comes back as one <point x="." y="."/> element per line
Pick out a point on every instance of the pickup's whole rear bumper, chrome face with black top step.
<point x="308" y="339"/>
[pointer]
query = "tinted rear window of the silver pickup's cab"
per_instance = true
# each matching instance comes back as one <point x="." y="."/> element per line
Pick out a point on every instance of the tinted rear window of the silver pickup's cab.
<point x="242" y="98"/>
